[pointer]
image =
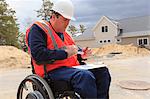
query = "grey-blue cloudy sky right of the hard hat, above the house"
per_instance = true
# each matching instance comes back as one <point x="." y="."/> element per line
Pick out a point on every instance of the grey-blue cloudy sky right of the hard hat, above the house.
<point x="92" y="10"/>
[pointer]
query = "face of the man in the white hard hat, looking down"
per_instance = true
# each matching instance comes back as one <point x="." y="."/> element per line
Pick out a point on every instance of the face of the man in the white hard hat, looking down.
<point x="61" y="23"/>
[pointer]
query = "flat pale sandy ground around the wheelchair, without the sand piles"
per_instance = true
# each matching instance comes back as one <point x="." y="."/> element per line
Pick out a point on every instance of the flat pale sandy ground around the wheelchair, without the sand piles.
<point x="133" y="68"/>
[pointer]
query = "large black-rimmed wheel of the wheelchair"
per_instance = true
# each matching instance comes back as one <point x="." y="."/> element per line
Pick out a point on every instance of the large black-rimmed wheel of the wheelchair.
<point x="34" y="87"/>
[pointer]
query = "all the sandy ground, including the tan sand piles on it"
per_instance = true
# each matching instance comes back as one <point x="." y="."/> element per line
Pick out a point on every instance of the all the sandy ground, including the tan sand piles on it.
<point x="124" y="63"/>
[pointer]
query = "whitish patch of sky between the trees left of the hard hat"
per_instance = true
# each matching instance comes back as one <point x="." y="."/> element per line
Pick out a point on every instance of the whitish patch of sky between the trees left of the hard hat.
<point x="25" y="9"/>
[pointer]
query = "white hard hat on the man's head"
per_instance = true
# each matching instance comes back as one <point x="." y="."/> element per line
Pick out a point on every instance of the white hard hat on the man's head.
<point x="65" y="8"/>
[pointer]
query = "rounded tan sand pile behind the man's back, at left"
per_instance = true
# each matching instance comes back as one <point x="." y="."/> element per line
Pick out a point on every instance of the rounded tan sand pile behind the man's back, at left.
<point x="13" y="57"/>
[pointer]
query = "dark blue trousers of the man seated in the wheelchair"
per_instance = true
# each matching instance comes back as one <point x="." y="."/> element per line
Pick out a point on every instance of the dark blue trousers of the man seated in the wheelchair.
<point x="88" y="83"/>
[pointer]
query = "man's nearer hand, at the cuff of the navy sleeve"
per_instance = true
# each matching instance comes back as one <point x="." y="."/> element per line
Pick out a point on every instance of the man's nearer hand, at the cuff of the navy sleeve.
<point x="71" y="50"/>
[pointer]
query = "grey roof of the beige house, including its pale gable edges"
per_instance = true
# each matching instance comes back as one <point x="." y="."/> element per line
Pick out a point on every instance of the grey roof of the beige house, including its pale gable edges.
<point x="133" y="26"/>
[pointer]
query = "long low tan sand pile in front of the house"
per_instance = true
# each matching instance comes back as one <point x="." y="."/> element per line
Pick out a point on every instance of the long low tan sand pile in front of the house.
<point x="123" y="50"/>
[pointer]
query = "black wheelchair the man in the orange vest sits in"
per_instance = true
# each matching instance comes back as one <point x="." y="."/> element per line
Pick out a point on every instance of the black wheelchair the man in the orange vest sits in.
<point x="36" y="87"/>
